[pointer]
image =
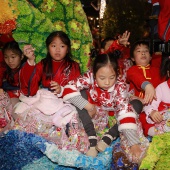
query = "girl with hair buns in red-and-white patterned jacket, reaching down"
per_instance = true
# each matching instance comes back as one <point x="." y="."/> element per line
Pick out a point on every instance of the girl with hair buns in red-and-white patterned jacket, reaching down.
<point x="106" y="92"/>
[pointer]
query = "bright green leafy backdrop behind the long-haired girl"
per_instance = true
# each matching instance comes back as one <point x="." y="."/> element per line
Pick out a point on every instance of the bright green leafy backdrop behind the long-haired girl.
<point x="38" y="18"/>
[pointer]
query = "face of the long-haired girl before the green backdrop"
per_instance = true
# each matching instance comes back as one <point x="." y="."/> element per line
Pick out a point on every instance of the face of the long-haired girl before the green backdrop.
<point x="57" y="49"/>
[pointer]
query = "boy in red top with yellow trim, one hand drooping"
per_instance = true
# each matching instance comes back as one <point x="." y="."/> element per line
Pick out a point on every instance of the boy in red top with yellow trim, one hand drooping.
<point x="142" y="77"/>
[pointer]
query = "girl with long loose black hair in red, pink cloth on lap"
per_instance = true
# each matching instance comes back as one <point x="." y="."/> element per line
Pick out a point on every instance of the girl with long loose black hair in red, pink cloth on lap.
<point x="57" y="69"/>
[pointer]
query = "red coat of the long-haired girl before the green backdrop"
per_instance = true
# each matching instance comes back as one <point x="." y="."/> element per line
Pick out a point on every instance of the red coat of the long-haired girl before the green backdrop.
<point x="61" y="74"/>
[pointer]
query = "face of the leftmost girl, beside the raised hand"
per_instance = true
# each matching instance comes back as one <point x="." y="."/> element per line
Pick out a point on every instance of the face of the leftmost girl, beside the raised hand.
<point x="12" y="59"/>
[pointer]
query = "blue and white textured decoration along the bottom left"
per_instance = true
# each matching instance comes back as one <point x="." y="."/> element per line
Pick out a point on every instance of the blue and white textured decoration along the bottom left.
<point x="21" y="150"/>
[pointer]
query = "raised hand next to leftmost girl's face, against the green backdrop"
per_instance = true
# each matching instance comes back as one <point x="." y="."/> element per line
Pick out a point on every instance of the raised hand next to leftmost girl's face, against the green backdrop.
<point x="29" y="53"/>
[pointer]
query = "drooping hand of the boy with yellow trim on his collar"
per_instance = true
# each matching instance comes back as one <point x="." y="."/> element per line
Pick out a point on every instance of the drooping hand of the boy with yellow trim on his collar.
<point x="150" y="94"/>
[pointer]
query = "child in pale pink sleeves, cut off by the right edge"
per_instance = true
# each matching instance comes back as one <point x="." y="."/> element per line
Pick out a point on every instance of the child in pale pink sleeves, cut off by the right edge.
<point x="157" y="112"/>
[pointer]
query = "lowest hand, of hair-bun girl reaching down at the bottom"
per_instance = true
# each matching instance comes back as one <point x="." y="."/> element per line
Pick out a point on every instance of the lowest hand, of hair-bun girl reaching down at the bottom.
<point x="136" y="152"/>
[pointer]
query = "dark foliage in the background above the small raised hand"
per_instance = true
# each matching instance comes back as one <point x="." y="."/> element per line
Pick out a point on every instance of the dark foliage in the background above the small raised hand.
<point x="125" y="15"/>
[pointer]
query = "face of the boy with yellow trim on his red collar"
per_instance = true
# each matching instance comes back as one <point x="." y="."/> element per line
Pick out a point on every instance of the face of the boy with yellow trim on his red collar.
<point x="141" y="55"/>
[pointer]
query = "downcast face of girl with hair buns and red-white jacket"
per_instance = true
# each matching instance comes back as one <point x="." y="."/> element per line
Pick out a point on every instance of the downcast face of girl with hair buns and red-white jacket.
<point x="105" y="77"/>
